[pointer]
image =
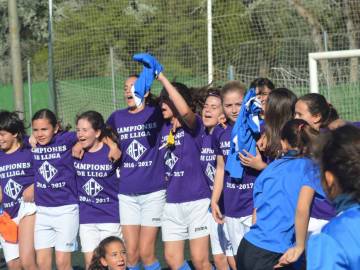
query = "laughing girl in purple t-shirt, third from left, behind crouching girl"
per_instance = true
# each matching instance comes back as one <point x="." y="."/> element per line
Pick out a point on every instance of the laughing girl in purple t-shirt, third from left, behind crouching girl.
<point x="97" y="183"/>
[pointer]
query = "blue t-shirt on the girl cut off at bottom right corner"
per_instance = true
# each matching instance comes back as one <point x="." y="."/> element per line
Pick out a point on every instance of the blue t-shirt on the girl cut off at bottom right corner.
<point x="337" y="246"/>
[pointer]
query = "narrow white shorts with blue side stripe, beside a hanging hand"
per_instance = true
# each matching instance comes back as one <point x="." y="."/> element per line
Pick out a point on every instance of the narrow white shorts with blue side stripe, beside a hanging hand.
<point x="219" y="238"/>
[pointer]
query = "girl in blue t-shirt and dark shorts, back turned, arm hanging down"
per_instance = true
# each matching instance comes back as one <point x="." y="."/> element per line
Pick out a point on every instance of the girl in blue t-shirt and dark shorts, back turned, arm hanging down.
<point x="285" y="187"/>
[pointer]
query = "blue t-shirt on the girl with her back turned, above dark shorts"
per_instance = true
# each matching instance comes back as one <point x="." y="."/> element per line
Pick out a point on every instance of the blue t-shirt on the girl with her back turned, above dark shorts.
<point x="276" y="193"/>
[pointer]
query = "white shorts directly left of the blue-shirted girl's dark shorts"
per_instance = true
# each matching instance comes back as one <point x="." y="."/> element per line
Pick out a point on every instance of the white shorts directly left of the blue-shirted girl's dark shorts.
<point x="237" y="227"/>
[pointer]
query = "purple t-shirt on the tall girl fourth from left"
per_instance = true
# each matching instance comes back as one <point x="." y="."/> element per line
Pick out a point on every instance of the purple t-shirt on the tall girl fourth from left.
<point x="141" y="165"/>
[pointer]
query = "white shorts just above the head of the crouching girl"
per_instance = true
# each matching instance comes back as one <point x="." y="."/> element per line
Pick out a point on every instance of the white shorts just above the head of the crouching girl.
<point x="92" y="234"/>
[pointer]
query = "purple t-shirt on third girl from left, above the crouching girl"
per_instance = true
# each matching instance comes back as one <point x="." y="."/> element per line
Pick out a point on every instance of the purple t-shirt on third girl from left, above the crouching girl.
<point x="97" y="183"/>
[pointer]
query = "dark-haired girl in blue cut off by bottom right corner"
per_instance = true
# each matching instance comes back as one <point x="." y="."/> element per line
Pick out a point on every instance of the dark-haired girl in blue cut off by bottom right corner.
<point x="337" y="245"/>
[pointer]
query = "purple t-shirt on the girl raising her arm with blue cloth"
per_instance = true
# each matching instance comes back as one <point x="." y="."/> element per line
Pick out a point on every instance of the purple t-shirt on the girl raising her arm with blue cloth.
<point x="186" y="179"/>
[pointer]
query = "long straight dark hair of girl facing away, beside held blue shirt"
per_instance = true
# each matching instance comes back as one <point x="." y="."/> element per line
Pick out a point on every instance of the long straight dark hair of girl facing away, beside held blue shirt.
<point x="280" y="109"/>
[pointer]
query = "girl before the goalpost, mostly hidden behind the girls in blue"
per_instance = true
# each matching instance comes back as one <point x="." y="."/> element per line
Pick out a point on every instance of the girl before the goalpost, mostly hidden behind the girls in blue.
<point x="314" y="109"/>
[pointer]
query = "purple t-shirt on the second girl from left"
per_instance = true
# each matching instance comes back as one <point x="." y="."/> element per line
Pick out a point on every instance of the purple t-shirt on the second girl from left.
<point x="55" y="183"/>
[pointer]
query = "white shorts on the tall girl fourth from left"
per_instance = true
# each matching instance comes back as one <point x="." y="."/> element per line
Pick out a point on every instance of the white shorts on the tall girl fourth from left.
<point x="144" y="210"/>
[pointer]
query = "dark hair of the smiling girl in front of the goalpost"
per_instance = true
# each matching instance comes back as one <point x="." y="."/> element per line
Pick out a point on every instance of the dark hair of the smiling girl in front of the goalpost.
<point x="317" y="105"/>
